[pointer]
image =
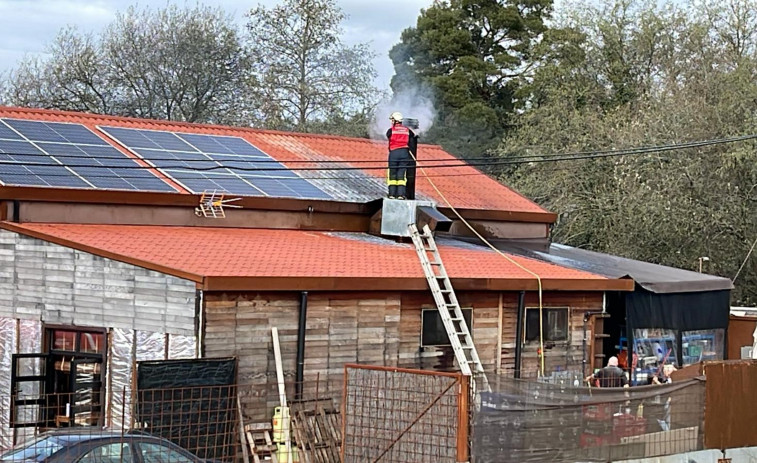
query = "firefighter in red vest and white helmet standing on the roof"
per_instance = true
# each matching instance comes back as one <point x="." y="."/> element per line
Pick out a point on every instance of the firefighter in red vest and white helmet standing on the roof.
<point x="401" y="139"/>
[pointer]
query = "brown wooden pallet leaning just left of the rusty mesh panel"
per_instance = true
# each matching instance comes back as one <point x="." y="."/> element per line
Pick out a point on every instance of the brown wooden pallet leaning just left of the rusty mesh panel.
<point x="317" y="430"/>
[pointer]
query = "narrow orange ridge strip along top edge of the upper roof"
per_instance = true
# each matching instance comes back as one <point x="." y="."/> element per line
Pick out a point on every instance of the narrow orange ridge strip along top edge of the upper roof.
<point x="193" y="125"/>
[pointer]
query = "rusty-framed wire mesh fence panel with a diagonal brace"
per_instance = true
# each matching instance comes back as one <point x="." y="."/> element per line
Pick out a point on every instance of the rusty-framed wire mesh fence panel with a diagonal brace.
<point x="399" y="415"/>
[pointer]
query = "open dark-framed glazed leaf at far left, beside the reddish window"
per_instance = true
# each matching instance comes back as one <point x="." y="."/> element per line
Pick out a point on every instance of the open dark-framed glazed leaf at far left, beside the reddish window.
<point x="28" y="380"/>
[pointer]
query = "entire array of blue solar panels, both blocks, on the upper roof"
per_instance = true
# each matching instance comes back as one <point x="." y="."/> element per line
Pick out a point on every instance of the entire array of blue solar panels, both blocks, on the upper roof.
<point x="56" y="154"/>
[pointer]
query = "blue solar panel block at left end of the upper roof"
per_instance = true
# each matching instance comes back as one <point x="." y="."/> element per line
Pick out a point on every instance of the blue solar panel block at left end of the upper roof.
<point x="40" y="153"/>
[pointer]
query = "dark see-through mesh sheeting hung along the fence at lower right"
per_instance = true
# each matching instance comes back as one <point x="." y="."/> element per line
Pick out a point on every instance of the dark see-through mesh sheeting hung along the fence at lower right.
<point x="525" y="421"/>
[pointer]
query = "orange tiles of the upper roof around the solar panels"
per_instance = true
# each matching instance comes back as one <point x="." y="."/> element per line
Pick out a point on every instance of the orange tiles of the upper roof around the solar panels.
<point x="464" y="187"/>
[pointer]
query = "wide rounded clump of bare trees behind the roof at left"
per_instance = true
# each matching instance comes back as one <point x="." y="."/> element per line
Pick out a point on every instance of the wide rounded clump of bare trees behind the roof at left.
<point x="178" y="64"/>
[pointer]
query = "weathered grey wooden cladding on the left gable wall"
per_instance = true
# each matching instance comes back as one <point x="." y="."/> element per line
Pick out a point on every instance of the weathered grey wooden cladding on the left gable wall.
<point x="59" y="285"/>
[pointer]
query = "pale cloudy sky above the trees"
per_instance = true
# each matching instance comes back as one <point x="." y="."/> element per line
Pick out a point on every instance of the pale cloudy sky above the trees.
<point x="28" y="26"/>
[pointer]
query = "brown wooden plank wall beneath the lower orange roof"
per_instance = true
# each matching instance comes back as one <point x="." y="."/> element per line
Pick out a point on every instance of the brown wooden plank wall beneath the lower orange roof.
<point x="381" y="328"/>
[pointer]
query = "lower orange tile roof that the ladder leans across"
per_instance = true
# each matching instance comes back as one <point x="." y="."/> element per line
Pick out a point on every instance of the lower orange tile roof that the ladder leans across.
<point x="215" y="253"/>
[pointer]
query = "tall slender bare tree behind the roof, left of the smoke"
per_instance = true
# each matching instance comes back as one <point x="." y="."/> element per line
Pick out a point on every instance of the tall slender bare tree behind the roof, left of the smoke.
<point x="306" y="74"/>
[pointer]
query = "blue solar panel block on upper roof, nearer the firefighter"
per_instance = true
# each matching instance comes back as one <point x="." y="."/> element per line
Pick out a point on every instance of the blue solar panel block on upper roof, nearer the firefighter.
<point x="229" y="161"/>
